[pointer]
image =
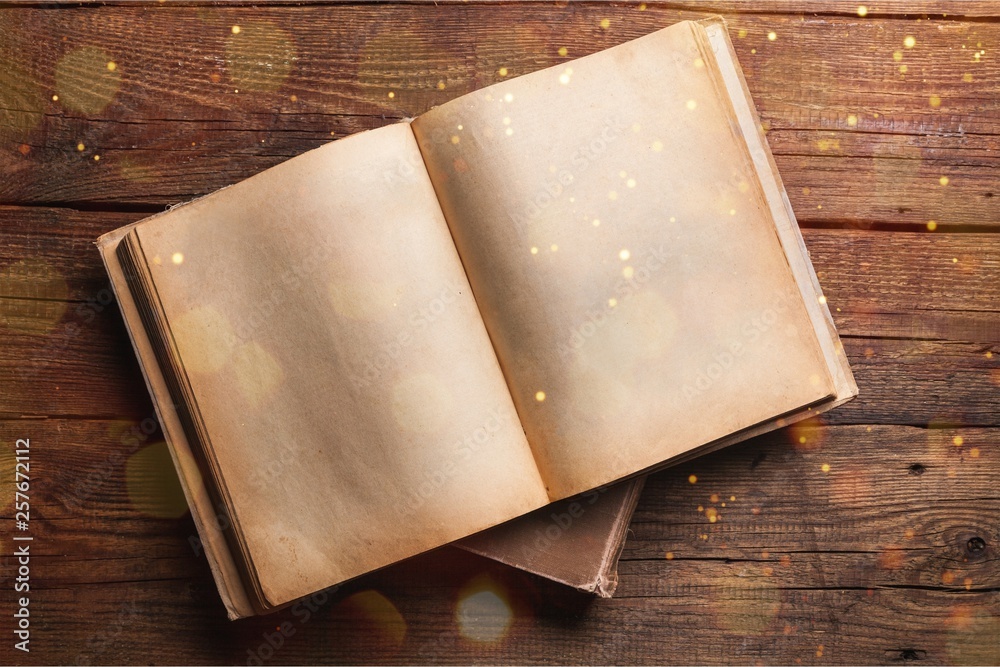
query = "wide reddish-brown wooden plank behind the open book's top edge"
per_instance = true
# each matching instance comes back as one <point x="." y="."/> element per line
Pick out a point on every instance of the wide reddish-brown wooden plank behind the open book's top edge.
<point x="174" y="126"/>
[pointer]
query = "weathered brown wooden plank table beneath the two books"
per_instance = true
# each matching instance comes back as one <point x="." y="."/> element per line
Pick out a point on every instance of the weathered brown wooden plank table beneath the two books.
<point x="871" y="537"/>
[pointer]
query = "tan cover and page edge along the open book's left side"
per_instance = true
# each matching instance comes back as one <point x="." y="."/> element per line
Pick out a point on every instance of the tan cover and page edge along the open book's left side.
<point x="220" y="560"/>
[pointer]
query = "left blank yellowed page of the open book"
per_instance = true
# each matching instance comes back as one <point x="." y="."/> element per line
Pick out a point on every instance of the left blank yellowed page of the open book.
<point x="339" y="363"/>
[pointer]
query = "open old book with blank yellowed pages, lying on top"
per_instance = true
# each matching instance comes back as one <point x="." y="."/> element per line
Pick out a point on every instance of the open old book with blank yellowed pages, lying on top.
<point x="417" y="333"/>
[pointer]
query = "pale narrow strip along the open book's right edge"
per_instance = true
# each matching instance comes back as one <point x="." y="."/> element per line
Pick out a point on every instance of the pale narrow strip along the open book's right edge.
<point x="787" y="227"/>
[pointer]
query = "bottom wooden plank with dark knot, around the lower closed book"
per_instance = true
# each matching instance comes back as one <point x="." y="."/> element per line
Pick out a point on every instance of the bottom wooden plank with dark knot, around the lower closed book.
<point x="867" y="559"/>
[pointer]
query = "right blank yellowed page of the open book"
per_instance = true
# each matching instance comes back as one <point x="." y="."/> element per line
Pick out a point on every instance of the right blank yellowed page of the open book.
<point x="624" y="258"/>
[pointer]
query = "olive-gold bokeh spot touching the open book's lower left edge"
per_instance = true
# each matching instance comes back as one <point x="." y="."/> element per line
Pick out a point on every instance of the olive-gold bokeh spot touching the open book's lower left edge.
<point x="152" y="484"/>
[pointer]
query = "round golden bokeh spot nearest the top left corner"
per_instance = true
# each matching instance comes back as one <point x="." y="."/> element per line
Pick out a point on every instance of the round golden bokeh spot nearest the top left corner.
<point x="84" y="80"/>
